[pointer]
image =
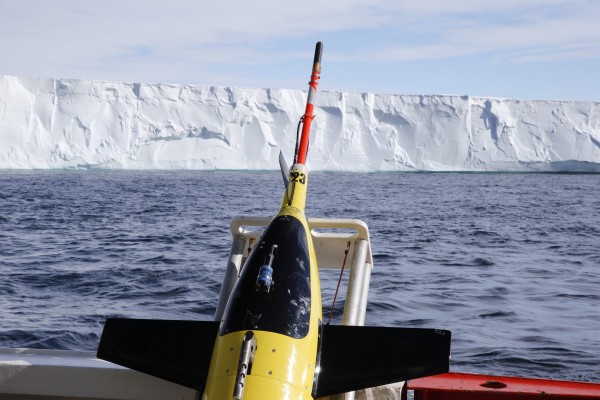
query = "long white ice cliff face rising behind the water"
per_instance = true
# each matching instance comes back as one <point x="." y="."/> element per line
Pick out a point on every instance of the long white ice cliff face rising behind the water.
<point x="61" y="123"/>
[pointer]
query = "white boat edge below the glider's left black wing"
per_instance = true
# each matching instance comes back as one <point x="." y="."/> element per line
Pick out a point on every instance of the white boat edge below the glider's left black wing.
<point x="61" y="374"/>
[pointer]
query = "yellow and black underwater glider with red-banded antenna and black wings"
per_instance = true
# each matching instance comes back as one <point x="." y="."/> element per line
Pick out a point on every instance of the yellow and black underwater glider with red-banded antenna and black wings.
<point x="271" y="342"/>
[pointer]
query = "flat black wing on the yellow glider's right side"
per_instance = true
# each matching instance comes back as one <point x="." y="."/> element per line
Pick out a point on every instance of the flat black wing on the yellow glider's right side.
<point x="359" y="357"/>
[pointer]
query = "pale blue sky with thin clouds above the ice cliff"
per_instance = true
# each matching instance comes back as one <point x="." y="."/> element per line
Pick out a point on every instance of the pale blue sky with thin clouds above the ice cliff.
<point x="520" y="49"/>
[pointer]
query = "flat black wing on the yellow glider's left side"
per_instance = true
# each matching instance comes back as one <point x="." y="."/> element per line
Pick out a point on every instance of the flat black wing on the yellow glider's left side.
<point x="178" y="351"/>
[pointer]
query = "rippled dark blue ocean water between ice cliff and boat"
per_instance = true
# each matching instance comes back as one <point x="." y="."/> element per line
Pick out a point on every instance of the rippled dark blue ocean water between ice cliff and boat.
<point x="510" y="263"/>
